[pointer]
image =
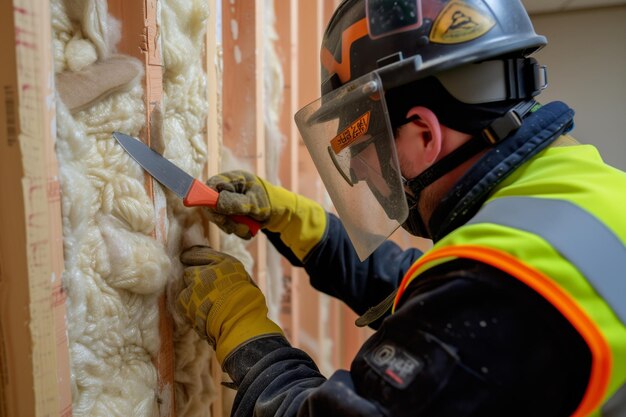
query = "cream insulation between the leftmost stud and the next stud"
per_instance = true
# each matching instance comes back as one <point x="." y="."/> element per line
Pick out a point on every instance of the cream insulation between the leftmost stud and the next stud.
<point x="115" y="271"/>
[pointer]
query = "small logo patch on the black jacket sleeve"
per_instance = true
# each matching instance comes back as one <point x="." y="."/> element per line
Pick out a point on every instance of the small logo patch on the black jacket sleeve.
<point x="394" y="365"/>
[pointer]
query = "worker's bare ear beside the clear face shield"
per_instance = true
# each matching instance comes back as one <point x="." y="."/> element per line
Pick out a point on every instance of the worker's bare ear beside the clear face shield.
<point x="428" y="133"/>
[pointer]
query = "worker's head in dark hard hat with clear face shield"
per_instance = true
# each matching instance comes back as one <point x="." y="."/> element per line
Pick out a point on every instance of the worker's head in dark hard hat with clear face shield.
<point x="405" y="82"/>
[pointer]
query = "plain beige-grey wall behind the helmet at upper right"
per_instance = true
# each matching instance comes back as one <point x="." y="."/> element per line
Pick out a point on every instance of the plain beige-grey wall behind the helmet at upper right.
<point x="586" y="59"/>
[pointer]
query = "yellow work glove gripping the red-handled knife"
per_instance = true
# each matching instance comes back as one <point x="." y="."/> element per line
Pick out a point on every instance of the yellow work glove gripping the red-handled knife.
<point x="301" y="222"/>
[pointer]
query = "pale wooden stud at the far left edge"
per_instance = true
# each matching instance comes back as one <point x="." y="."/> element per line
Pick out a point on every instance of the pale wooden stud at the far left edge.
<point x="34" y="364"/>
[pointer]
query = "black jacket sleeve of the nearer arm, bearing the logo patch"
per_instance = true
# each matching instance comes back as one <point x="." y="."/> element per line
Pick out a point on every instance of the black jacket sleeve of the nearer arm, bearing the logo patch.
<point x="466" y="340"/>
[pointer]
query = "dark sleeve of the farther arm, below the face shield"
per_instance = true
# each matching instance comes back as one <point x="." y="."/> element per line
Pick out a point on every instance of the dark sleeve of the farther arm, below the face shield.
<point x="335" y="269"/>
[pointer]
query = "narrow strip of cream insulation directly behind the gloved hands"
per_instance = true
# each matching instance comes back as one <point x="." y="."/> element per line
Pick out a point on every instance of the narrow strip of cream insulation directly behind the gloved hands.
<point x="184" y="114"/>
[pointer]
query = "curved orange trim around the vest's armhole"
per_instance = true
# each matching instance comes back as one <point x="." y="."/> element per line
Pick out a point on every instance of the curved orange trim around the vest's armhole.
<point x="601" y="353"/>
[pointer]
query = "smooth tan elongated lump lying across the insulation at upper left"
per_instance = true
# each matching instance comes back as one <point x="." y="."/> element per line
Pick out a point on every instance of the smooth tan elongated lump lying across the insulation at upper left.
<point x="80" y="89"/>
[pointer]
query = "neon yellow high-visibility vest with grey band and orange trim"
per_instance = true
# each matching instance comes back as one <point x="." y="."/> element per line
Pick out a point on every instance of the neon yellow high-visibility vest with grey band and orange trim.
<point x="558" y="224"/>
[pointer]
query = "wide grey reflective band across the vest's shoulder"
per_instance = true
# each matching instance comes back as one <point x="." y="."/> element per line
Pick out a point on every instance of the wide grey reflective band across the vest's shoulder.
<point x="591" y="247"/>
